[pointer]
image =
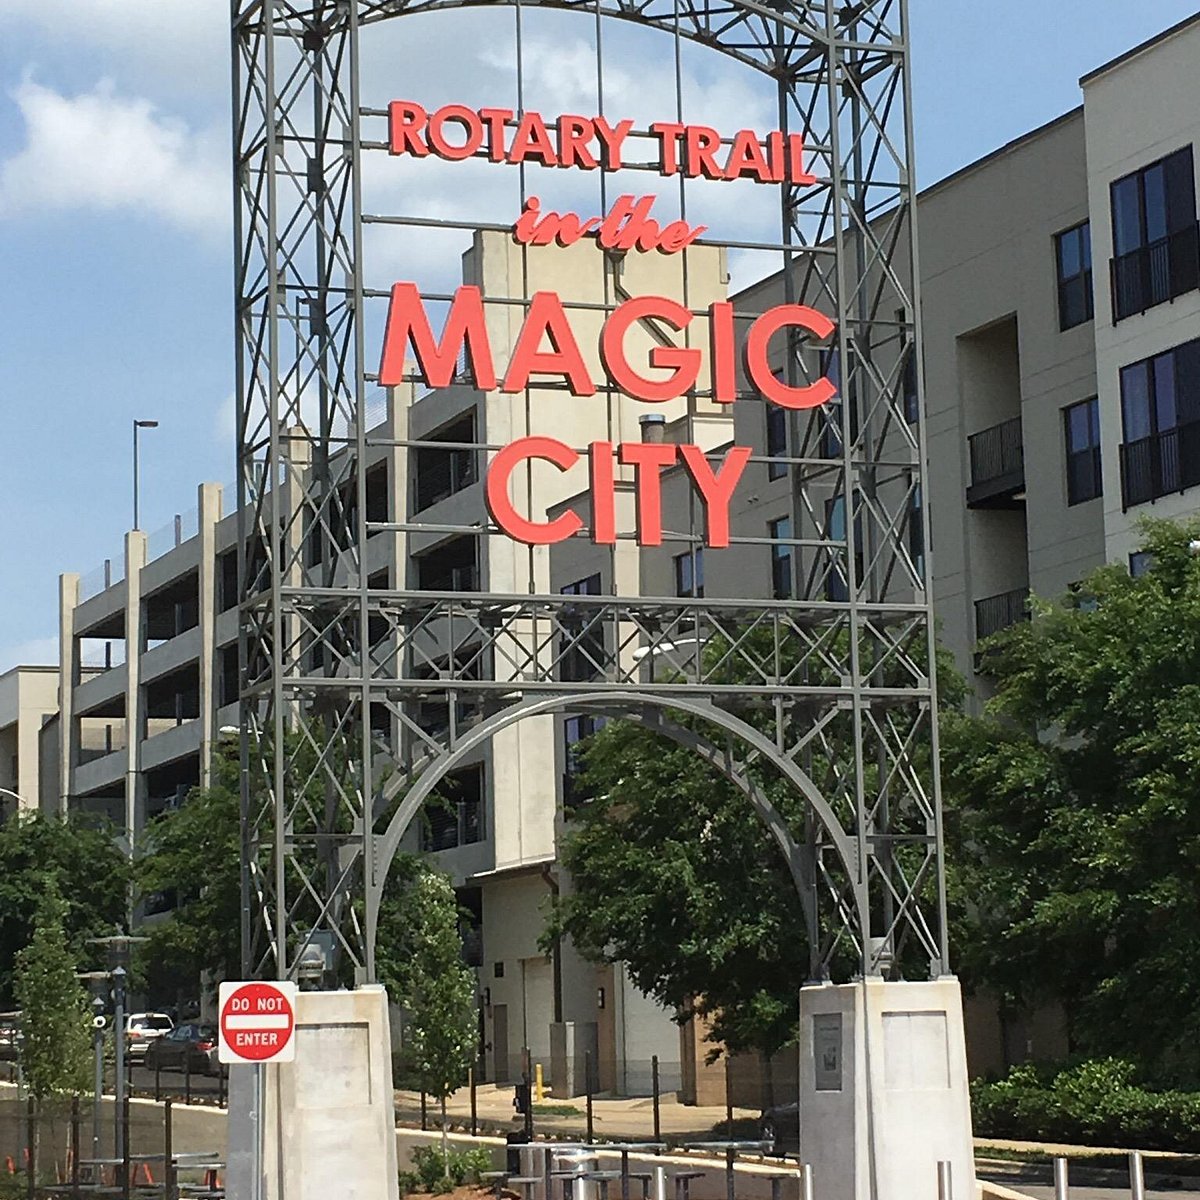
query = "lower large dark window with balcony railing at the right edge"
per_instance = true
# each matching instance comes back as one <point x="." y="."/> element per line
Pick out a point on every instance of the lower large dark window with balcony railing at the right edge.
<point x="1161" y="419"/>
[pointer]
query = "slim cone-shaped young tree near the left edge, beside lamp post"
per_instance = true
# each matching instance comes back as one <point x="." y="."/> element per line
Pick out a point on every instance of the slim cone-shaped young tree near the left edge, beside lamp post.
<point x="56" y="1041"/>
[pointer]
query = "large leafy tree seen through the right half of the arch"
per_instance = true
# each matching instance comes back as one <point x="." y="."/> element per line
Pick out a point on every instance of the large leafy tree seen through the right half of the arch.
<point x="673" y="874"/>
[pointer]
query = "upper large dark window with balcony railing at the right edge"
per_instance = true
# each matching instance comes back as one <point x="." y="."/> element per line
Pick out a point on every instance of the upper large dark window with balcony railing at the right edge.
<point x="1156" y="254"/>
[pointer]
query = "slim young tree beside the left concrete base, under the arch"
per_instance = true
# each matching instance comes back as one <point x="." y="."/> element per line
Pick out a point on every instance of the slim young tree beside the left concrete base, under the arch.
<point x="422" y="964"/>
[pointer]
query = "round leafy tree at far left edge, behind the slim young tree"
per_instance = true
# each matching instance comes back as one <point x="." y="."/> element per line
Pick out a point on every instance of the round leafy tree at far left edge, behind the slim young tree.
<point x="81" y="863"/>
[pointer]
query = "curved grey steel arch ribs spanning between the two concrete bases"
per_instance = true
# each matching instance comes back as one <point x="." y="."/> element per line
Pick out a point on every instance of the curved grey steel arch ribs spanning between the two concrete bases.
<point x="651" y="709"/>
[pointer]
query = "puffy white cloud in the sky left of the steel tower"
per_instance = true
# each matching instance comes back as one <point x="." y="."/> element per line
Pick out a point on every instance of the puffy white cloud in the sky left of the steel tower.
<point x="101" y="152"/>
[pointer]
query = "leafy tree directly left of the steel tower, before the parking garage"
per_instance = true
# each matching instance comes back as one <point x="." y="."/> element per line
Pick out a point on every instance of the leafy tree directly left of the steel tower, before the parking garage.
<point x="193" y="859"/>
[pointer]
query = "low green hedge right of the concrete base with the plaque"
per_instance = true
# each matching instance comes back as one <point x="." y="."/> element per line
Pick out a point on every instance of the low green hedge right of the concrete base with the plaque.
<point x="1095" y="1103"/>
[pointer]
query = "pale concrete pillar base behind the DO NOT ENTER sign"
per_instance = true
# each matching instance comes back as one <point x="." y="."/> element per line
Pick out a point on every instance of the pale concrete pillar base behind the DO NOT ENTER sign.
<point x="328" y="1123"/>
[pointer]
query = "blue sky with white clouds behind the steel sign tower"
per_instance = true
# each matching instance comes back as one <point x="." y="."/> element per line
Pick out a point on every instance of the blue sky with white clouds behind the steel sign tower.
<point x="115" y="233"/>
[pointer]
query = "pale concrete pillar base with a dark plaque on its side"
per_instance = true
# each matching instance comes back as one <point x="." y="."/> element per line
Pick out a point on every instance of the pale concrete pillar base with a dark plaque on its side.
<point x="884" y="1090"/>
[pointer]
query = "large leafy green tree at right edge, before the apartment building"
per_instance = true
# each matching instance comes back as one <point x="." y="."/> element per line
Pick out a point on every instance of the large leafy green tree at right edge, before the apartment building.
<point x="1075" y="812"/>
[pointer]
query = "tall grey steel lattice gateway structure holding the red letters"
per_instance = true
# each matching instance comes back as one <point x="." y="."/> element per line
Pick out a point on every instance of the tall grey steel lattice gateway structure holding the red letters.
<point x="836" y="683"/>
